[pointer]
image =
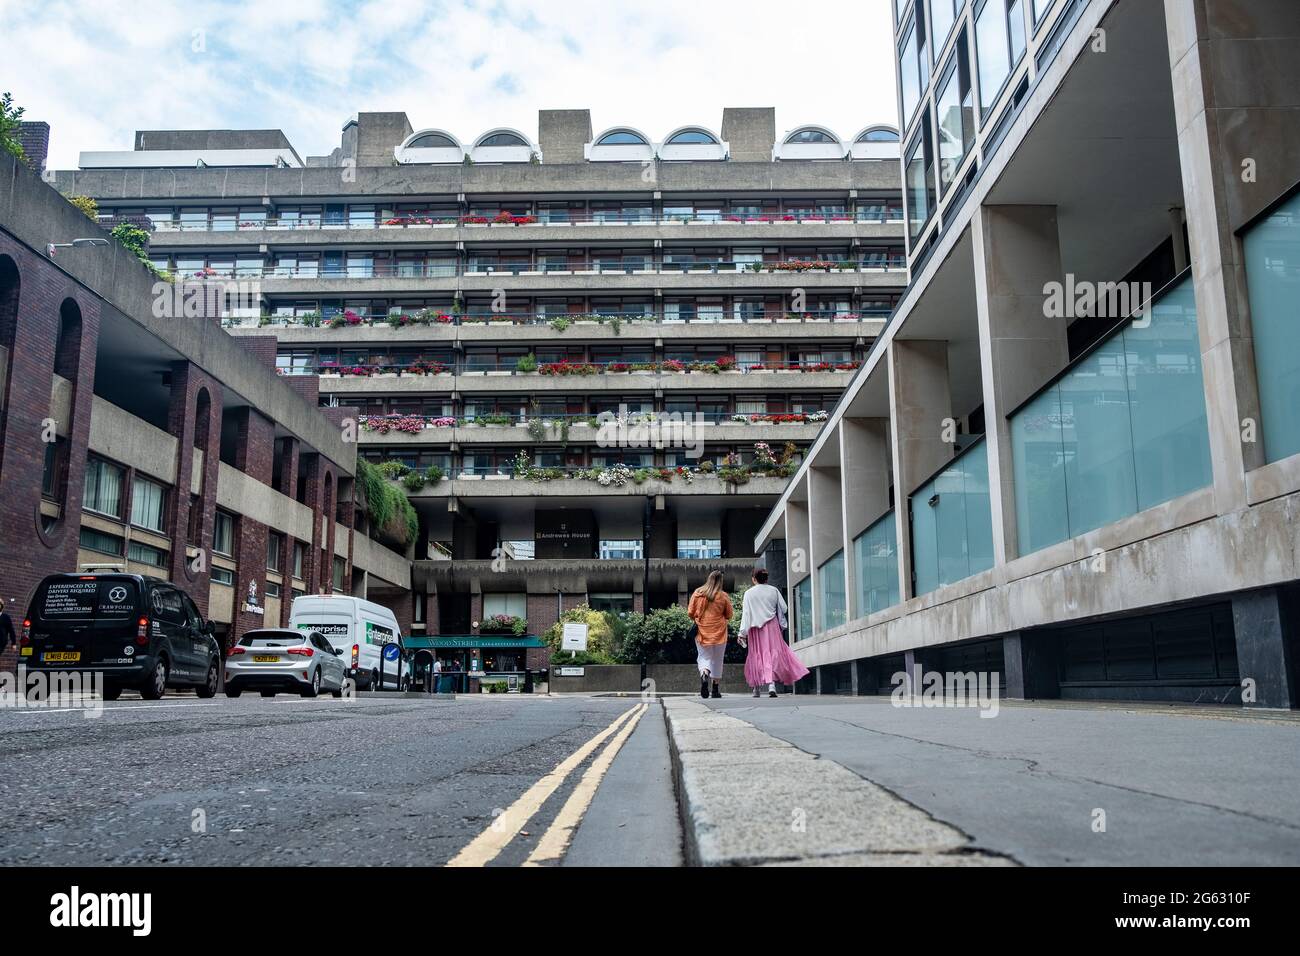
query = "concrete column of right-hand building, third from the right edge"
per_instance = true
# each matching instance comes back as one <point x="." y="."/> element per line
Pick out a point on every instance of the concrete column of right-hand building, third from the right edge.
<point x="920" y="405"/>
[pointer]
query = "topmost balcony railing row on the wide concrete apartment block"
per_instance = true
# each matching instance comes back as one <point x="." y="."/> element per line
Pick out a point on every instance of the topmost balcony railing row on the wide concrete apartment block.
<point x="415" y="220"/>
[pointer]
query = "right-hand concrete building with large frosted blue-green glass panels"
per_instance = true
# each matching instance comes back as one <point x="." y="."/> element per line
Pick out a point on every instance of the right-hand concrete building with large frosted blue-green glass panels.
<point x="1095" y="503"/>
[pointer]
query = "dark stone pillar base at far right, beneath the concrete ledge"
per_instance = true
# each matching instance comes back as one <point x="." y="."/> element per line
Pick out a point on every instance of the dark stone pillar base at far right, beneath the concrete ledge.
<point x="1267" y="647"/>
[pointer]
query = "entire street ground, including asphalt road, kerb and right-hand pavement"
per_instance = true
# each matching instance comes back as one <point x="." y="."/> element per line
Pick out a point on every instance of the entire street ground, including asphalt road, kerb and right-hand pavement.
<point x="588" y="781"/>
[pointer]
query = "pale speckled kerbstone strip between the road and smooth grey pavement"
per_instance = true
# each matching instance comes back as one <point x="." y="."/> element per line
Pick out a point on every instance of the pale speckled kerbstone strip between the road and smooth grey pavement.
<point x="751" y="799"/>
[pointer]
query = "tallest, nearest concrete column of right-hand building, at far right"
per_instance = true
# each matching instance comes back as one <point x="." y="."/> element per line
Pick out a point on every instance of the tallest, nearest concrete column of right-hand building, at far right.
<point x="1236" y="123"/>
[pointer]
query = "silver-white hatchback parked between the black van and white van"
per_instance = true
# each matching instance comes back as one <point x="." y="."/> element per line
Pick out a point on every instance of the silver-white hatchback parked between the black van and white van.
<point x="284" y="659"/>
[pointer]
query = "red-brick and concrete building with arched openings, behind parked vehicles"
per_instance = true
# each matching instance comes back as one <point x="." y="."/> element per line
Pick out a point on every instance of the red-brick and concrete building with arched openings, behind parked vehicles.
<point x="159" y="445"/>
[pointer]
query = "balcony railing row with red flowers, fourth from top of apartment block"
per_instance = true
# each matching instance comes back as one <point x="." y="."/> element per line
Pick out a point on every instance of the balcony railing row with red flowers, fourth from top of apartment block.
<point x="580" y="369"/>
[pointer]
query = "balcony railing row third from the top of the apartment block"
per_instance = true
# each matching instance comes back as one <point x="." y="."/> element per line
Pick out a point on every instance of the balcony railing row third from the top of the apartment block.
<point x="558" y="323"/>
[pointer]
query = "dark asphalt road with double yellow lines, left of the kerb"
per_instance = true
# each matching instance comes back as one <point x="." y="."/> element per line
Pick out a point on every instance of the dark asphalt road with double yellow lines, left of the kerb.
<point x="487" y="781"/>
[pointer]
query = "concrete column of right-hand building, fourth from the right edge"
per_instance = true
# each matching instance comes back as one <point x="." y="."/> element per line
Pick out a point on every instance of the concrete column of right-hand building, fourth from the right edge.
<point x="865" y="461"/>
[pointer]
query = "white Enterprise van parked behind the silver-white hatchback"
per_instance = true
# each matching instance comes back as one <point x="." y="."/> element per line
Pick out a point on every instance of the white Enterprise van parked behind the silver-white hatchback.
<point x="359" y="630"/>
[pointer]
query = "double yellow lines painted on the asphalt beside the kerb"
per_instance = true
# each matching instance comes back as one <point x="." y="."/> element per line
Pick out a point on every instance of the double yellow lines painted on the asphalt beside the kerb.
<point x="489" y="845"/>
